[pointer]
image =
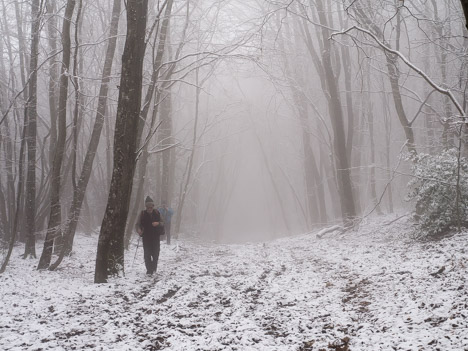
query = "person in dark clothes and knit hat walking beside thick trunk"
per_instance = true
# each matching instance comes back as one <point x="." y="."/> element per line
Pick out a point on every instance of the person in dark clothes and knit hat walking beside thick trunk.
<point x="150" y="226"/>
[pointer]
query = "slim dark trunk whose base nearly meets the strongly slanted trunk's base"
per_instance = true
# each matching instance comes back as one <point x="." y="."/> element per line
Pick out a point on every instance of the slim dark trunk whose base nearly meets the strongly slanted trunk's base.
<point x="53" y="228"/>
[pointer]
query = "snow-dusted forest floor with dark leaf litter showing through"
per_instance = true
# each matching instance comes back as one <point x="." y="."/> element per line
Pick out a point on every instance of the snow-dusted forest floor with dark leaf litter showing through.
<point x="372" y="289"/>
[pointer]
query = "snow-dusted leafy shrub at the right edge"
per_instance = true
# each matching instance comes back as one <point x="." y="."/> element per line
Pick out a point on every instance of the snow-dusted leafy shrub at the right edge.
<point x="434" y="189"/>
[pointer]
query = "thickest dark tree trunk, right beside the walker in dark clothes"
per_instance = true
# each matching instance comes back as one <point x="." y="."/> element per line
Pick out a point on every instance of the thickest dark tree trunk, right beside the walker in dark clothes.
<point x="110" y="250"/>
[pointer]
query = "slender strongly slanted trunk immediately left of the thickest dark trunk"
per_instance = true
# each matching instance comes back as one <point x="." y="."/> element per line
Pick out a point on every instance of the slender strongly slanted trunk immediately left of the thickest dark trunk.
<point x="80" y="189"/>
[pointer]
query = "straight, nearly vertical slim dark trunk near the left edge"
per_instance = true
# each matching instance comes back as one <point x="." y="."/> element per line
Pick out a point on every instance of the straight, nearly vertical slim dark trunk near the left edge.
<point x="31" y="110"/>
